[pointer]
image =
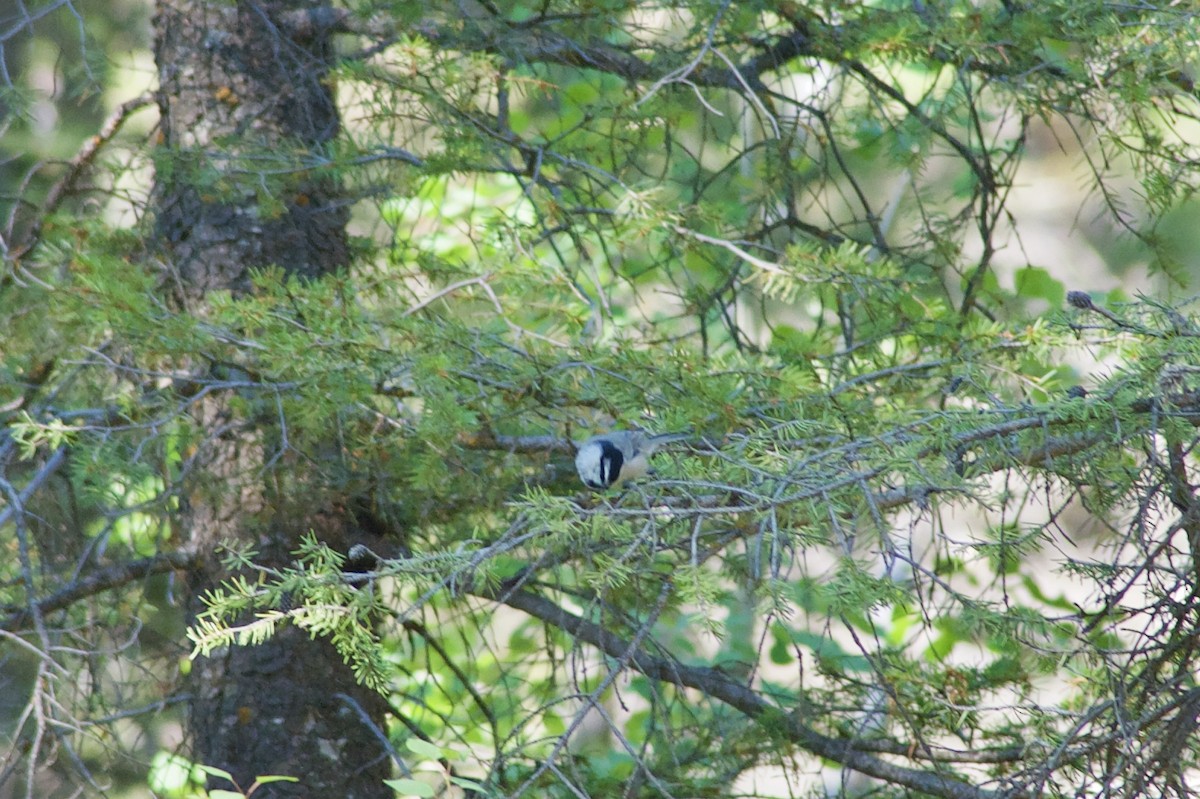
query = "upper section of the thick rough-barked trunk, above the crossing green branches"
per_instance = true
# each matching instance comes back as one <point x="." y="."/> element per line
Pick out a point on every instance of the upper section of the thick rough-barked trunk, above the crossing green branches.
<point x="247" y="116"/>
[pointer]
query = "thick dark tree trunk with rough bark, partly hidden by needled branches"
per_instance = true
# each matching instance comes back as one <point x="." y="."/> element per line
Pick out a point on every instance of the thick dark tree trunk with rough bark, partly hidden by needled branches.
<point x="245" y="116"/>
